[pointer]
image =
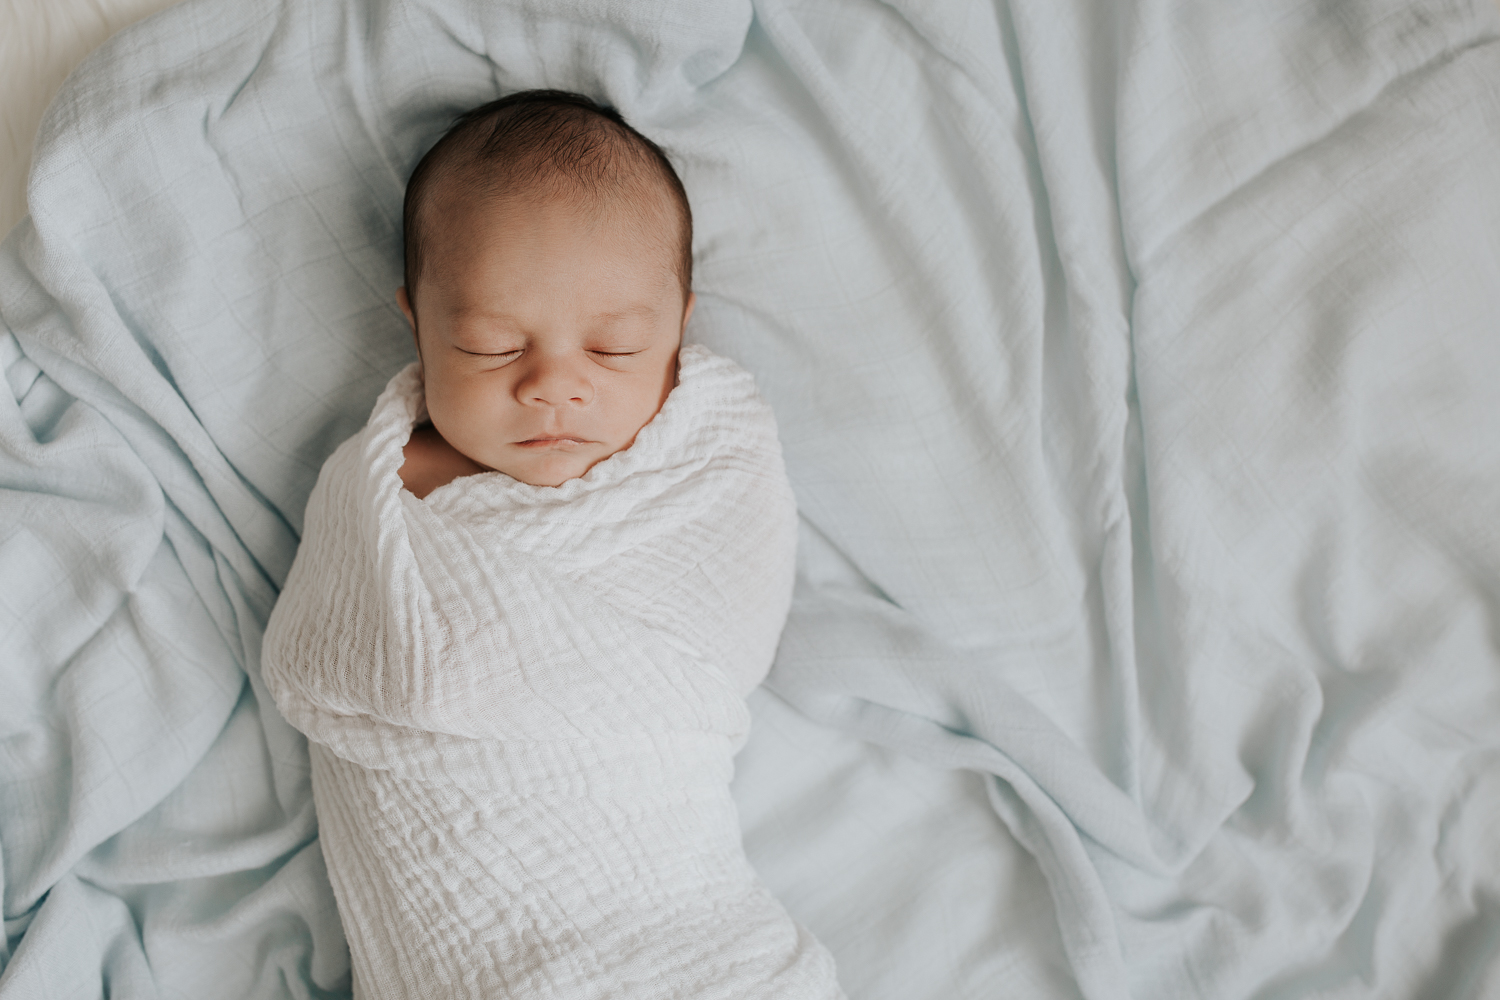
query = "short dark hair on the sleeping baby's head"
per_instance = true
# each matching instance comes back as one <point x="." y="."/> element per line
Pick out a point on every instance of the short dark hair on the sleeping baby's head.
<point x="554" y="140"/>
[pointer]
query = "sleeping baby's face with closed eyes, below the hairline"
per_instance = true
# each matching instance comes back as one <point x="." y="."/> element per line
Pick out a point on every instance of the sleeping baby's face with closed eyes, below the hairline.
<point x="548" y="334"/>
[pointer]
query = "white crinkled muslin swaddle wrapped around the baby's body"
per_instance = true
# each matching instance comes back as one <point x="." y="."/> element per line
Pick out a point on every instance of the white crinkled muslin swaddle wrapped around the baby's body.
<point x="524" y="705"/>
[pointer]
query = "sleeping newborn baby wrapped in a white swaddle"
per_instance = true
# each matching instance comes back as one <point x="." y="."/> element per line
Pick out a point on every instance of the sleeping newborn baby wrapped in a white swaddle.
<point x="533" y="593"/>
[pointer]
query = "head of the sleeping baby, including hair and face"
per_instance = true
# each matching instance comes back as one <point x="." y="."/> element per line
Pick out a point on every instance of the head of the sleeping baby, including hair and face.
<point x="548" y="284"/>
